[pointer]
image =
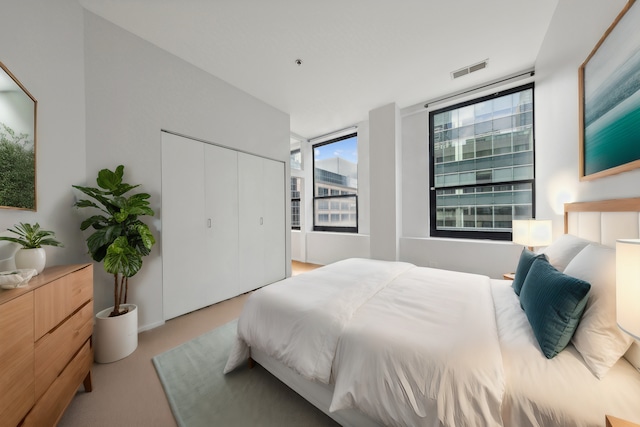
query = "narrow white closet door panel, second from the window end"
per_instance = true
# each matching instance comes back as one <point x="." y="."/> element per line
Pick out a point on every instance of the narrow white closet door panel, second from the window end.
<point x="251" y="235"/>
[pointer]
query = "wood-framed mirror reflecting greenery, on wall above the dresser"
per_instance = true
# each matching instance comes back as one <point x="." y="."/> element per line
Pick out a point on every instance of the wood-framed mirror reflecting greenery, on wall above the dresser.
<point x="17" y="143"/>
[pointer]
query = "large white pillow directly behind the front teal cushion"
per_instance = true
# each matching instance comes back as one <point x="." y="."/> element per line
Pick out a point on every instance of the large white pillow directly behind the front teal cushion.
<point x="598" y="338"/>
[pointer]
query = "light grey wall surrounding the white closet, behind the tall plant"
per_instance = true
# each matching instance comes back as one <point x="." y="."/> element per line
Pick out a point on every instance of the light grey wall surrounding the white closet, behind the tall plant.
<point x="134" y="90"/>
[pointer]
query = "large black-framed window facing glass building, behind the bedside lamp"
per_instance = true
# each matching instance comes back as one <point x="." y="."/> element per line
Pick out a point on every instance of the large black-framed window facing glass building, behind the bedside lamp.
<point x="482" y="165"/>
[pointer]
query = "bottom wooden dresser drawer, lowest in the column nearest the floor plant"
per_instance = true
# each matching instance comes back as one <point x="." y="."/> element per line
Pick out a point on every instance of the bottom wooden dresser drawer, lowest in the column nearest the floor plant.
<point x="49" y="409"/>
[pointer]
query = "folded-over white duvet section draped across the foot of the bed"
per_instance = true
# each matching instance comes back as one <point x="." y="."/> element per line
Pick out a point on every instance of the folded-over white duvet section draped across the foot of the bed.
<point x="298" y="321"/>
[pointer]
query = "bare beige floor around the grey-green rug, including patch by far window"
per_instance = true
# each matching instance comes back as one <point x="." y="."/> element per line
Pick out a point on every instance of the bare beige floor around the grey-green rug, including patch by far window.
<point x="128" y="391"/>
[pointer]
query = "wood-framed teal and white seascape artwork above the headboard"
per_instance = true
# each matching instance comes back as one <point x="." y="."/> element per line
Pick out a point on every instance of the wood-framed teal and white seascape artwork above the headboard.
<point x="610" y="100"/>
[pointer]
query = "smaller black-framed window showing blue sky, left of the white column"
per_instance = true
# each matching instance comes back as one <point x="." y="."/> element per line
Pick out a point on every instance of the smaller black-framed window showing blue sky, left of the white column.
<point x="335" y="185"/>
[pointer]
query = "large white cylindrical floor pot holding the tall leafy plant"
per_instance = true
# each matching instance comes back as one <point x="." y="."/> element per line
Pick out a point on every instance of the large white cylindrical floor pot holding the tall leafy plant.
<point x="115" y="338"/>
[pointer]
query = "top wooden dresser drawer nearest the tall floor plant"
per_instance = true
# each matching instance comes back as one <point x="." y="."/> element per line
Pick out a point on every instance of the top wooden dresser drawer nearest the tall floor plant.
<point x="58" y="299"/>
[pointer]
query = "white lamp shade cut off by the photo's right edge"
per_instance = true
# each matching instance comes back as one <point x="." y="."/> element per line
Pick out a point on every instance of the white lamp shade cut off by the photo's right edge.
<point x="628" y="286"/>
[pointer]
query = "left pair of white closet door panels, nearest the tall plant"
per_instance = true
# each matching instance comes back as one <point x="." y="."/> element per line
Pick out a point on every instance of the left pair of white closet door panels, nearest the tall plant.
<point x="199" y="224"/>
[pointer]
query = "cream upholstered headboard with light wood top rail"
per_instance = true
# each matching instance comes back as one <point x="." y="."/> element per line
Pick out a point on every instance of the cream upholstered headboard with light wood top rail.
<point x="604" y="222"/>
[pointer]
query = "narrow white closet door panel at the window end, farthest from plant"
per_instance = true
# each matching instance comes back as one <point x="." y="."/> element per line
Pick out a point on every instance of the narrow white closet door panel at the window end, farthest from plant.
<point x="274" y="209"/>
